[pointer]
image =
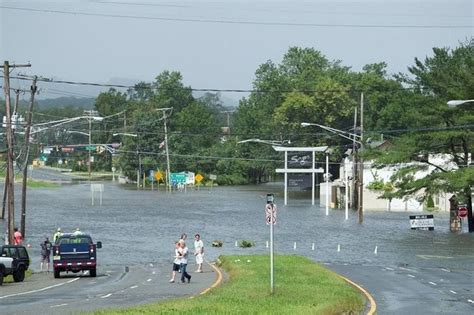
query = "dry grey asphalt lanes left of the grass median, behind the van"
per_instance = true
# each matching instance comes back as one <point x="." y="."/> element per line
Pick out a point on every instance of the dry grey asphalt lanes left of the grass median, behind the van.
<point x="112" y="288"/>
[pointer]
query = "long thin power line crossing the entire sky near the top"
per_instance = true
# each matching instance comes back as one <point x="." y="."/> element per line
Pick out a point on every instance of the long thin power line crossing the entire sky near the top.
<point x="233" y="22"/>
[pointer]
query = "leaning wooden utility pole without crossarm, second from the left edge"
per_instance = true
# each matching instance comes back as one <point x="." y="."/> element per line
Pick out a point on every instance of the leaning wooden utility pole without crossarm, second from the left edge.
<point x="27" y="153"/>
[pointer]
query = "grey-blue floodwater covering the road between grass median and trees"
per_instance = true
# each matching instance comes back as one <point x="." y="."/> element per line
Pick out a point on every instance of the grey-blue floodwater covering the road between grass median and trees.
<point x="138" y="227"/>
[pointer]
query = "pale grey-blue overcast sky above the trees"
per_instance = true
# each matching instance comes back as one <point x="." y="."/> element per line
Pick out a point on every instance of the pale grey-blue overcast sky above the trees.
<point x="218" y="44"/>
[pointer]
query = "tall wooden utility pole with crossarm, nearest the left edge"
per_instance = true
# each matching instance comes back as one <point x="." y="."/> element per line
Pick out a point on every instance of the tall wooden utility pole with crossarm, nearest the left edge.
<point x="8" y="130"/>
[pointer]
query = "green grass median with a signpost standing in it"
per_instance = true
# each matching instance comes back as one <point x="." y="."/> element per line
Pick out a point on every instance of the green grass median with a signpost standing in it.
<point x="301" y="287"/>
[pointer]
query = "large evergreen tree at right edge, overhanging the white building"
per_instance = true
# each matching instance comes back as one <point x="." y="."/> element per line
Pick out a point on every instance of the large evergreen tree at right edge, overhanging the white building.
<point x="438" y="141"/>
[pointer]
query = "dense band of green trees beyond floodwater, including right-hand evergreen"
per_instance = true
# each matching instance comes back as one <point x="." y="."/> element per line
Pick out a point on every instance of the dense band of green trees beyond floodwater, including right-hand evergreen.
<point x="409" y="109"/>
